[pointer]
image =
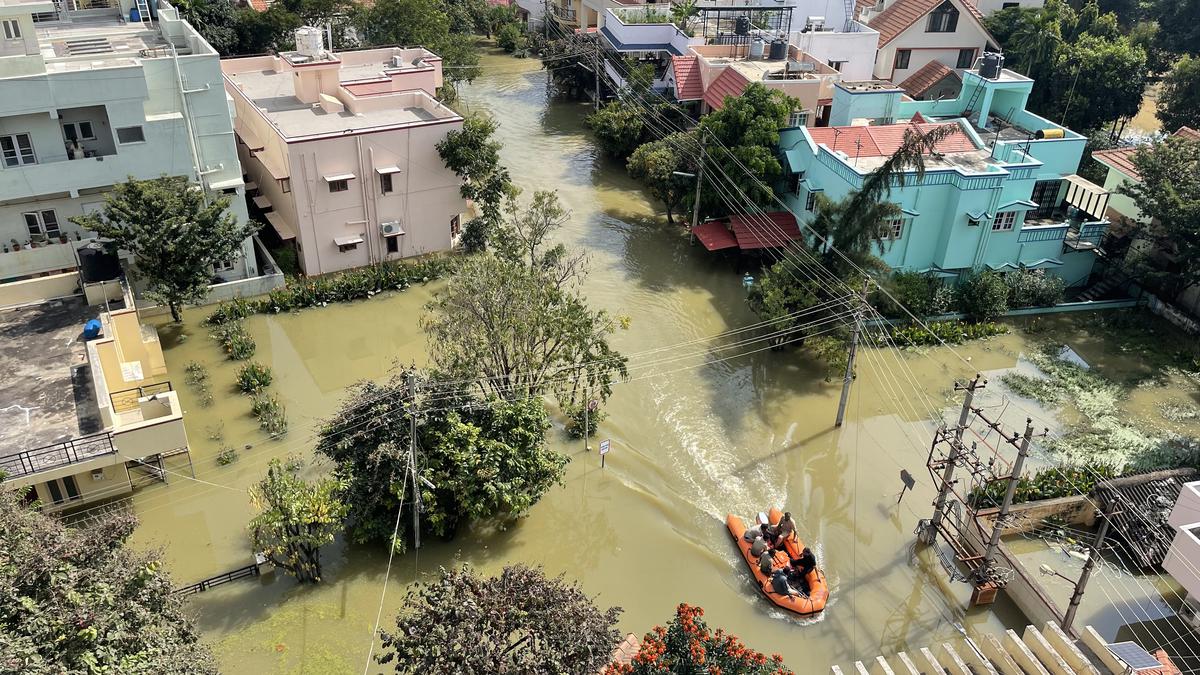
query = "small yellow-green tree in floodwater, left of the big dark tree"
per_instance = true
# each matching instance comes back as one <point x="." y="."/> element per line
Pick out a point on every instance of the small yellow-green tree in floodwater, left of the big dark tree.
<point x="296" y="518"/>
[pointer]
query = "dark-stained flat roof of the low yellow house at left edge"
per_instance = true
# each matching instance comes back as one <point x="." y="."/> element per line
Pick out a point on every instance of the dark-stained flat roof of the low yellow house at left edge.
<point x="49" y="395"/>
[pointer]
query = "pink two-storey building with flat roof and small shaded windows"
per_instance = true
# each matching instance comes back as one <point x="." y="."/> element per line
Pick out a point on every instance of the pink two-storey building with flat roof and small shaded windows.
<point x="340" y="152"/>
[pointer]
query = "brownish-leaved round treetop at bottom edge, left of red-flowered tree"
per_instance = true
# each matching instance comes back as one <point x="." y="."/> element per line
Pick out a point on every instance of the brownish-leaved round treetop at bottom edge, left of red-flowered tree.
<point x="519" y="622"/>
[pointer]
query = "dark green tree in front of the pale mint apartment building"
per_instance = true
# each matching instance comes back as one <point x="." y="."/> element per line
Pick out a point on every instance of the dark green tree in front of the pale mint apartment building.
<point x="176" y="232"/>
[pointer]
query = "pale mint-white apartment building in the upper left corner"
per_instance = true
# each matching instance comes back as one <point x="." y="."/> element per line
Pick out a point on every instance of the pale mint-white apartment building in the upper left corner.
<point x="92" y="97"/>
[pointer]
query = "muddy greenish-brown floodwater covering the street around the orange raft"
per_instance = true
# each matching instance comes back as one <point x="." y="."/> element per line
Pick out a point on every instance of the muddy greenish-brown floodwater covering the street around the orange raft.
<point x="704" y="428"/>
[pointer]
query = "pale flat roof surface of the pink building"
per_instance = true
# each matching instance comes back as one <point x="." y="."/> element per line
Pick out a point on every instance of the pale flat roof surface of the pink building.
<point x="275" y="95"/>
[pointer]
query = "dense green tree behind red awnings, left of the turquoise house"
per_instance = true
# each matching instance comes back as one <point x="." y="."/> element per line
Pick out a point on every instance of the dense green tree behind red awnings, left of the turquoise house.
<point x="747" y="135"/>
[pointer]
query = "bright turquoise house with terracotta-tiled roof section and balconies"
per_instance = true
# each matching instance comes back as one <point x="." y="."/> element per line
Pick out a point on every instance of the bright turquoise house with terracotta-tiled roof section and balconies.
<point x="1000" y="194"/>
